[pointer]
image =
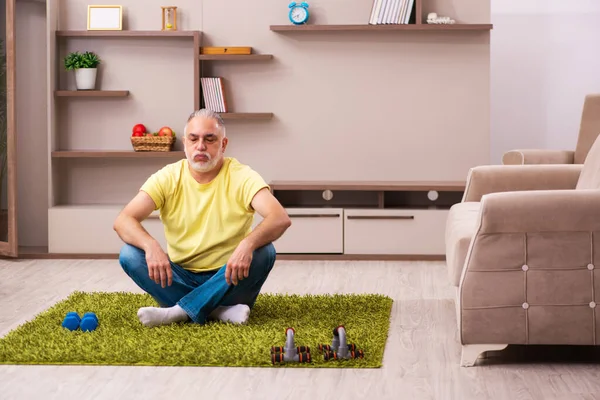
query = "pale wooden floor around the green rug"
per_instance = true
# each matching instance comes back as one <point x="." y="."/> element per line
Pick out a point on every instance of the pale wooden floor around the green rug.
<point x="421" y="359"/>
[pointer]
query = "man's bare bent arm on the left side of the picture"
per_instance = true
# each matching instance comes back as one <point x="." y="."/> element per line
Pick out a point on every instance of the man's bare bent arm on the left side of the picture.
<point x="128" y="223"/>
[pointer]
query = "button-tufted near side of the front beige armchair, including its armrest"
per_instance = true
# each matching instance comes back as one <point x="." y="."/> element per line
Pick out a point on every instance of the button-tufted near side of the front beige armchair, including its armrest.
<point x="529" y="275"/>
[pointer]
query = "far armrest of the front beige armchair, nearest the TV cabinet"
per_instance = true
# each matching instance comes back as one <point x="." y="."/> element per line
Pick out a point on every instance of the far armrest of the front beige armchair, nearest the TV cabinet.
<point x="487" y="179"/>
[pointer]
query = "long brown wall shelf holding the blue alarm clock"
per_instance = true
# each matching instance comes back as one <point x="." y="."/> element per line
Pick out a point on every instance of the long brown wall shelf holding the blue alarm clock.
<point x="378" y="28"/>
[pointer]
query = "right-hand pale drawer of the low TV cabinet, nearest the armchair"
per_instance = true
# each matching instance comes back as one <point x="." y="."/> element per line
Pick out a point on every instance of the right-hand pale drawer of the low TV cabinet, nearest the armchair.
<point x="375" y="231"/>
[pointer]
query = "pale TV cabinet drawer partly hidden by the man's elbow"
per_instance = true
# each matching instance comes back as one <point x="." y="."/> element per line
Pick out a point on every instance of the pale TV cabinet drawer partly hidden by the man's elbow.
<point x="313" y="230"/>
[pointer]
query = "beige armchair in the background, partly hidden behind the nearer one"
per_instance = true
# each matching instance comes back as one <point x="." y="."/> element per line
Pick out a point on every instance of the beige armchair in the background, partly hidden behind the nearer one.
<point x="589" y="128"/>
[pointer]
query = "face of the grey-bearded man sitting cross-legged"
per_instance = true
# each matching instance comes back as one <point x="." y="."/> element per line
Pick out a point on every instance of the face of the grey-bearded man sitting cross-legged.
<point x="204" y="144"/>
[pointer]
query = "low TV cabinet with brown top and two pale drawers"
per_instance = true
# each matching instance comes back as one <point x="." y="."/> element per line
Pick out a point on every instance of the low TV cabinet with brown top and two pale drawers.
<point x="366" y="220"/>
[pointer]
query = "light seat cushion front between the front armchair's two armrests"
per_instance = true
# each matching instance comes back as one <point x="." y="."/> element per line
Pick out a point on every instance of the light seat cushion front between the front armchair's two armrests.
<point x="460" y="228"/>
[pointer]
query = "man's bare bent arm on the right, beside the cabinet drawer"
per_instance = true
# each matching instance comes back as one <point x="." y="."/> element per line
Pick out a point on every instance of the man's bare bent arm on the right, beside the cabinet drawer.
<point x="275" y="220"/>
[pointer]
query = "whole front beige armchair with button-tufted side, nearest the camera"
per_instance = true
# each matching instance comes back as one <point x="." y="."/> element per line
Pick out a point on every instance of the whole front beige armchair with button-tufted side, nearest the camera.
<point x="522" y="250"/>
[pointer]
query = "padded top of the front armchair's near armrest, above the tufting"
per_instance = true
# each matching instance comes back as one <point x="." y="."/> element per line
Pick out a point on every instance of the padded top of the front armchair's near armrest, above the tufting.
<point x="540" y="211"/>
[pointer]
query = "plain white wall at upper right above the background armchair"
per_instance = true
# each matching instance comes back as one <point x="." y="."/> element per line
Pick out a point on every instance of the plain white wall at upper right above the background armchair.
<point x="545" y="59"/>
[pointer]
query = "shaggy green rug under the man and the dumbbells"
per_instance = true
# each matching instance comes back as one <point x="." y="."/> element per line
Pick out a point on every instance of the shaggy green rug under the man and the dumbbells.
<point x="121" y="339"/>
